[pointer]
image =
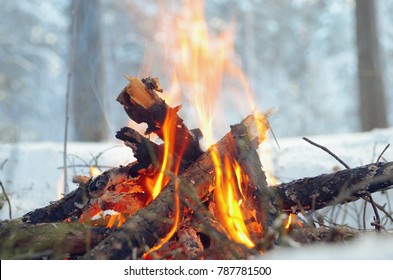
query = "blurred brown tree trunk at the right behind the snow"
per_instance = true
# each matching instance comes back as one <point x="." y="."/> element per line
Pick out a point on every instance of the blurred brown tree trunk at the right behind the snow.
<point x="370" y="72"/>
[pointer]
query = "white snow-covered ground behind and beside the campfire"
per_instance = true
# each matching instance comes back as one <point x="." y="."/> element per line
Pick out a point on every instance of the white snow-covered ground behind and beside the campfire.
<point x="32" y="173"/>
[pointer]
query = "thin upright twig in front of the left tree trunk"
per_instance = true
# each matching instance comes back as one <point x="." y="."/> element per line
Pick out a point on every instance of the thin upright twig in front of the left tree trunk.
<point x="69" y="77"/>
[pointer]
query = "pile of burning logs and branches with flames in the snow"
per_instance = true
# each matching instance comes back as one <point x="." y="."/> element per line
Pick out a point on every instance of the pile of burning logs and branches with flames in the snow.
<point x="177" y="201"/>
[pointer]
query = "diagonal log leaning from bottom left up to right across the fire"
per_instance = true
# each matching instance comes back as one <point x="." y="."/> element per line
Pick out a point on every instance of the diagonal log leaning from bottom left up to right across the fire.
<point x="152" y="223"/>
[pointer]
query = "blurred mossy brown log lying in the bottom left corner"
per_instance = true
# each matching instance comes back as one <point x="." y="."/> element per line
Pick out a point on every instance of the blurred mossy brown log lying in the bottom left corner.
<point x="49" y="240"/>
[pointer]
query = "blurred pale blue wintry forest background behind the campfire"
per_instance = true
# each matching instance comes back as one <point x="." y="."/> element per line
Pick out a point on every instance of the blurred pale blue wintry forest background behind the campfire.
<point x="324" y="65"/>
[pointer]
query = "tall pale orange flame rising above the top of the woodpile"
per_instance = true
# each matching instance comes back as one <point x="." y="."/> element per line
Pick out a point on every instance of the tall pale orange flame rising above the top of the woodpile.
<point x="199" y="66"/>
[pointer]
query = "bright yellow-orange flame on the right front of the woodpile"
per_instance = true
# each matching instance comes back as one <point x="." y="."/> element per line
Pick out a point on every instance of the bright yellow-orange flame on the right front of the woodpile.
<point x="228" y="196"/>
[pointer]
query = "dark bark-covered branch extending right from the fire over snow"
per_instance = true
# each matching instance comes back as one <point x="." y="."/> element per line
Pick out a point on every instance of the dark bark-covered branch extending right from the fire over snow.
<point x="335" y="188"/>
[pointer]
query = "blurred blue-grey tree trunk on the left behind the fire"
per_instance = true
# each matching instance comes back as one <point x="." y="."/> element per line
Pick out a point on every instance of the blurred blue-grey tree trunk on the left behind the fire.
<point x="87" y="78"/>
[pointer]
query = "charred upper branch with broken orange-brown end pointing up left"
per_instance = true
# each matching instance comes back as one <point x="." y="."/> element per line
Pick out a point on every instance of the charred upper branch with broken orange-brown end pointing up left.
<point x="142" y="104"/>
